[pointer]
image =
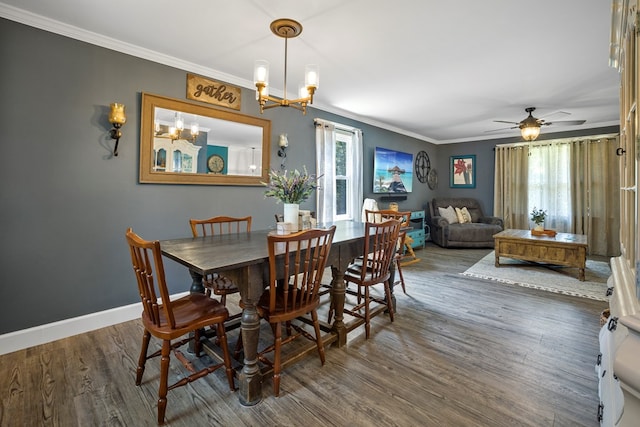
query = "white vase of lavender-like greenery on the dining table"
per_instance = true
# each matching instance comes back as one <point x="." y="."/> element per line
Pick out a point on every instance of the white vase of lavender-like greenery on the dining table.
<point x="291" y="188"/>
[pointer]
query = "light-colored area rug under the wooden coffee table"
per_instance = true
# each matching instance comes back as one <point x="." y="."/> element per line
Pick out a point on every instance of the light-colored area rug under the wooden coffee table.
<point x="557" y="279"/>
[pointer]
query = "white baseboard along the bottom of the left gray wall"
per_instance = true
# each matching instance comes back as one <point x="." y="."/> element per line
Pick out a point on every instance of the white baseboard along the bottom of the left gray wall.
<point x="25" y="338"/>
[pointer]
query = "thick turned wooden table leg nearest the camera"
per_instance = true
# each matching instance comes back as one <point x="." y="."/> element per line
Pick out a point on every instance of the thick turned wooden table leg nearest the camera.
<point x="250" y="378"/>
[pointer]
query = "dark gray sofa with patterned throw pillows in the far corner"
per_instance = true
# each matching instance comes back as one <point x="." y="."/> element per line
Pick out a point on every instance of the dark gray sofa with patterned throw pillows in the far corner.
<point x="478" y="233"/>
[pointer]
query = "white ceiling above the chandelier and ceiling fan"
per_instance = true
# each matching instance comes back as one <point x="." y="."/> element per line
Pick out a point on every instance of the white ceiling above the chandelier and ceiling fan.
<point x="440" y="71"/>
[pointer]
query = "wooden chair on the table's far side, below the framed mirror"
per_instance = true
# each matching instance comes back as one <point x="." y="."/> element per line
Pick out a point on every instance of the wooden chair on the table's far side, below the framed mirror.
<point x="216" y="283"/>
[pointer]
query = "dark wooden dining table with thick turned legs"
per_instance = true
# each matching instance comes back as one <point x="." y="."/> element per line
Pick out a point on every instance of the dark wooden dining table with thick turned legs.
<point x="244" y="258"/>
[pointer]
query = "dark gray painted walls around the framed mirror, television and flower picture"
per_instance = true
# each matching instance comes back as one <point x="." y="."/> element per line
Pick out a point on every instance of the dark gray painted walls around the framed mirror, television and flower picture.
<point x="66" y="202"/>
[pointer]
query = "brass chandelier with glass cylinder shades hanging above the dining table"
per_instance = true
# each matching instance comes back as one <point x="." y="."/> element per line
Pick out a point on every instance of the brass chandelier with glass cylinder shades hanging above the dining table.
<point x="285" y="28"/>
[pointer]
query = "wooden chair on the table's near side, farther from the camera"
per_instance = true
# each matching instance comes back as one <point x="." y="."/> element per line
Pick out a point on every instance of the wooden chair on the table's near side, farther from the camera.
<point x="380" y="243"/>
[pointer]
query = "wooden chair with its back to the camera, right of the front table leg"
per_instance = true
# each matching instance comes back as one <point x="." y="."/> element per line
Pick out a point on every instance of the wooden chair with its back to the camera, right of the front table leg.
<point x="296" y="264"/>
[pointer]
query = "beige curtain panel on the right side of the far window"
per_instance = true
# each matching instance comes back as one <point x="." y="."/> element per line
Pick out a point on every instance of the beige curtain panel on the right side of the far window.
<point x="595" y="196"/>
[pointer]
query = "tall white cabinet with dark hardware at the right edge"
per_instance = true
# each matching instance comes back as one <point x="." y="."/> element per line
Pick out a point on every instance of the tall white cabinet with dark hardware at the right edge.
<point x="618" y="366"/>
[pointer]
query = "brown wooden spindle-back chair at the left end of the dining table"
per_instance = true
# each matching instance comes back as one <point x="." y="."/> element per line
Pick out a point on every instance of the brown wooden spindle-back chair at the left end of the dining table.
<point x="169" y="320"/>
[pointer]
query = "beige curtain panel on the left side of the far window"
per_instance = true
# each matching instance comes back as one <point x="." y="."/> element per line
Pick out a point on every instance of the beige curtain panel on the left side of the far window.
<point x="510" y="186"/>
